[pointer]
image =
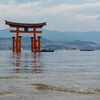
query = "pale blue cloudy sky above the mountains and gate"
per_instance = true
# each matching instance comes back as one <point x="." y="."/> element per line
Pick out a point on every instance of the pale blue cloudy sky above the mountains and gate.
<point x="60" y="15"/>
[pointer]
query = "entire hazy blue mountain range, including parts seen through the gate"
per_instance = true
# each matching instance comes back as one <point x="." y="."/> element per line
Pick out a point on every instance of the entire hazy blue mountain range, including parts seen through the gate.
<point x="56" y="35"/>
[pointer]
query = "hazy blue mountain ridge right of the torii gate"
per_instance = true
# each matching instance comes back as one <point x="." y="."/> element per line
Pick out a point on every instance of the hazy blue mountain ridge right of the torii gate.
<point x="70" y="36"/>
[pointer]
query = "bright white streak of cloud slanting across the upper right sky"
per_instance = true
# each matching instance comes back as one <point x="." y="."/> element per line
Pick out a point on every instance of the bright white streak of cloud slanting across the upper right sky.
<point x="73" y="7"/>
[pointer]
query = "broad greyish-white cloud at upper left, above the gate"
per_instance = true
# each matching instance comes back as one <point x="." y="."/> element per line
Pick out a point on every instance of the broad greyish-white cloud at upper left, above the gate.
<point x="20" y="9"/>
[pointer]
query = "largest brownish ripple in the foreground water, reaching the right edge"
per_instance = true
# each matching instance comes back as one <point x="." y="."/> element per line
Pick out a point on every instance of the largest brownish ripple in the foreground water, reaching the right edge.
<point x="78" y="90"/>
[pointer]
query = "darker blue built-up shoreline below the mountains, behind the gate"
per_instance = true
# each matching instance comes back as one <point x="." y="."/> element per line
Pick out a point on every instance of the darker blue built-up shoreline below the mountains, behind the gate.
<point x="6" y="44"/>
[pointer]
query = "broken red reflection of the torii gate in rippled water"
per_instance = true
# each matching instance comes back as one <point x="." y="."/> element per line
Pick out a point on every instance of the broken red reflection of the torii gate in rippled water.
<point x="25" y="63"/>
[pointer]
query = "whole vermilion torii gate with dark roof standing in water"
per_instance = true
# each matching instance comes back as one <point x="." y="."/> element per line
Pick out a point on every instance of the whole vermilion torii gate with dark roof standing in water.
<point x="35" y="43"/>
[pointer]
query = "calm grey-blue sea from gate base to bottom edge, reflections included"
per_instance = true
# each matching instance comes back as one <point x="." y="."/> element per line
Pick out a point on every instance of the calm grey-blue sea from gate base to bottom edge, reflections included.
<point x="62" y="75"/>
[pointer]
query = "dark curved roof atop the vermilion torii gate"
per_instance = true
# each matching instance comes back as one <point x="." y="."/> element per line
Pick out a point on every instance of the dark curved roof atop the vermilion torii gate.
<point x="28" y="25"/>
